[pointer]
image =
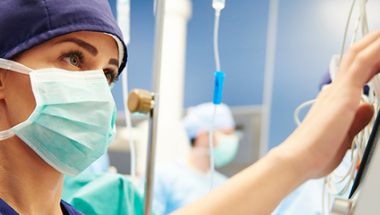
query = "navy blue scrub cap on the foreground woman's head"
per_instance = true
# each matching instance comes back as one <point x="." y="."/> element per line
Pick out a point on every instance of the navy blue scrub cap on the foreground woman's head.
<point x="25" y="24"/>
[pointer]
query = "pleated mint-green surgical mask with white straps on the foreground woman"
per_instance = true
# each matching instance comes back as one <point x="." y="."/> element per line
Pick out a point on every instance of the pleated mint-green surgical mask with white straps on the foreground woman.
<point x="73" y="122"/>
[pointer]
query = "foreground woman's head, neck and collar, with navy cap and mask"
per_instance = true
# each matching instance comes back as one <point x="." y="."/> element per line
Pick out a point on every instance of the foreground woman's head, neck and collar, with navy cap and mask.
<point x="57" y="61"/>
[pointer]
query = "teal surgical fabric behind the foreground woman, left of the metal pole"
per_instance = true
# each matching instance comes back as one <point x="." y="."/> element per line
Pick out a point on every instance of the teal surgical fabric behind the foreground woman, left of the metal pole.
<point x="106" y="193"/>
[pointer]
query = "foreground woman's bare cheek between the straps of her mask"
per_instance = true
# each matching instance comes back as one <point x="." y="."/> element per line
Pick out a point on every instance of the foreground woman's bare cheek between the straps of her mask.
<point x="19" y="97"/>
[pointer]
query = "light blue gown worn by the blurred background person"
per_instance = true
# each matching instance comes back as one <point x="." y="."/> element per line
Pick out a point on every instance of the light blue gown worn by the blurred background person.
<point x="176" y="184"/>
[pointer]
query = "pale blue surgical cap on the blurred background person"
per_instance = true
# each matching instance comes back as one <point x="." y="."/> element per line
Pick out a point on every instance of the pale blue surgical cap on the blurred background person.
<point x="199" y="118"/>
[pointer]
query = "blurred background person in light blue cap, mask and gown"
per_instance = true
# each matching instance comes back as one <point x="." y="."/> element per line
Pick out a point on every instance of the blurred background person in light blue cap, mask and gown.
<point x="181" y="182"/>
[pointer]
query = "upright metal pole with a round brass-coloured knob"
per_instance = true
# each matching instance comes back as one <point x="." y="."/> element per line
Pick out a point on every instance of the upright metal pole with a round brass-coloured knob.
<point x="144" y="102"/>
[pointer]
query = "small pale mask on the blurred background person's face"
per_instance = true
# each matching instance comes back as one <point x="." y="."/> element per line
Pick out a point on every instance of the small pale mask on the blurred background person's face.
<point x="226" y="149"/>
